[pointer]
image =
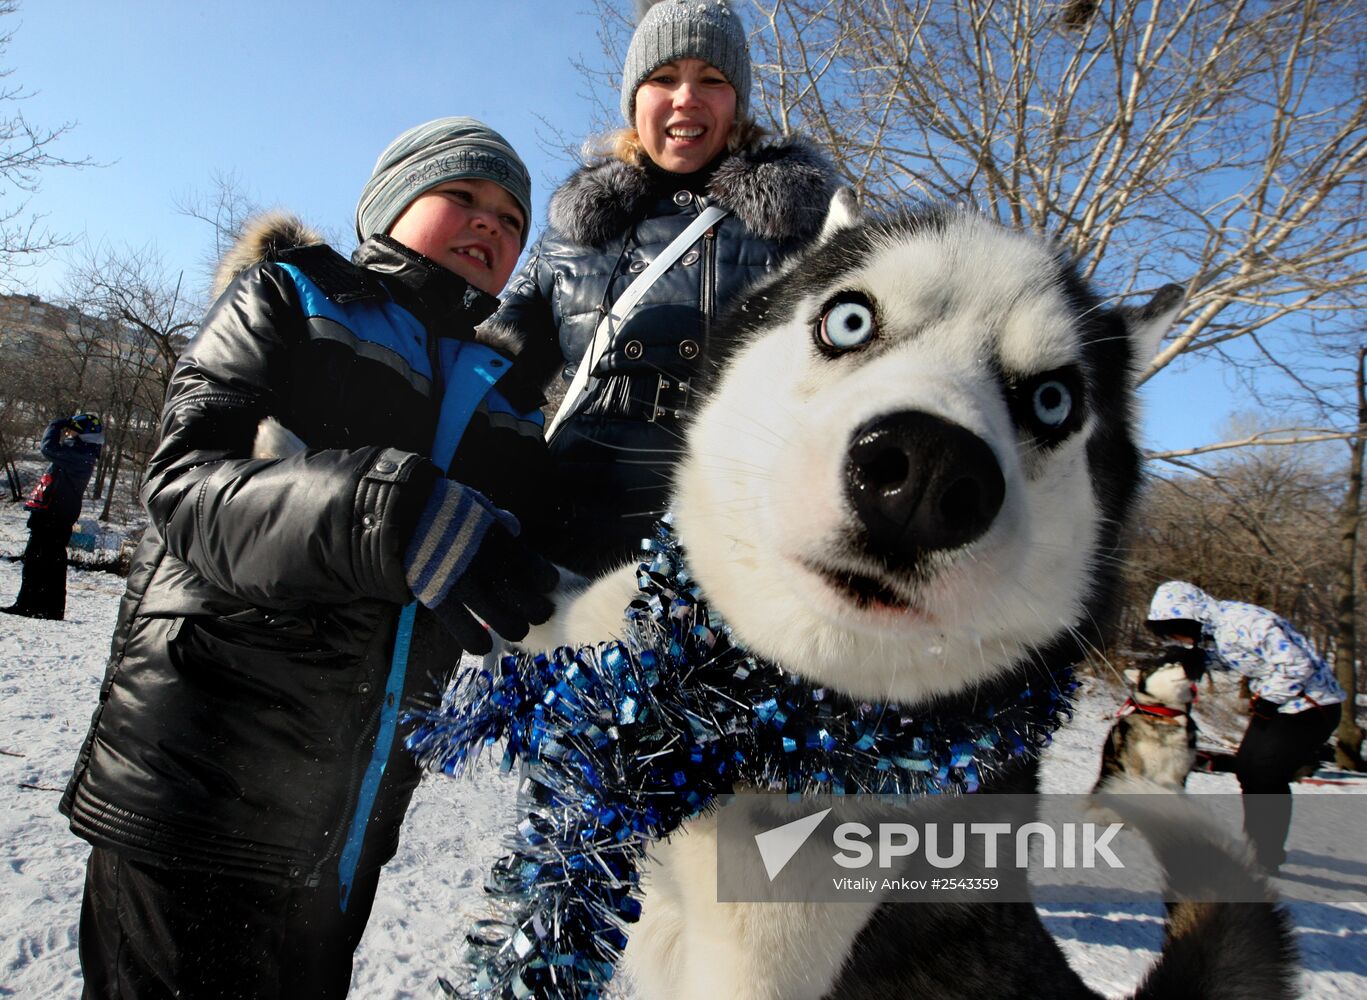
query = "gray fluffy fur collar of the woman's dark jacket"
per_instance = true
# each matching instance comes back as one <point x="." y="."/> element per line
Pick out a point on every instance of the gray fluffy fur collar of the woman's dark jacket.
<point x="780" y="191"/>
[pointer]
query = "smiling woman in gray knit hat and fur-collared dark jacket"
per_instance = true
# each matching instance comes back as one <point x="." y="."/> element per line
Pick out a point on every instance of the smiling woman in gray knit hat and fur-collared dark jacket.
<point x="691" y="144"/>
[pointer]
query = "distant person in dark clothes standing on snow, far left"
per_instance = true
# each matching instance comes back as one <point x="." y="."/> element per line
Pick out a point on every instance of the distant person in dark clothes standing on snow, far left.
<point x="73" y="446"/>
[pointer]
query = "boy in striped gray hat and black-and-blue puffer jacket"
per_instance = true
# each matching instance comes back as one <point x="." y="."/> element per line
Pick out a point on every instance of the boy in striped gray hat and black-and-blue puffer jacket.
<point x="337" y="494"/>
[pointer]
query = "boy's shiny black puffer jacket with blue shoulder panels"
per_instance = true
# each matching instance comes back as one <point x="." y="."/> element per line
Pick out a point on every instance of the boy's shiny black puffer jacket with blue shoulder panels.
<point x="240" y="712"/>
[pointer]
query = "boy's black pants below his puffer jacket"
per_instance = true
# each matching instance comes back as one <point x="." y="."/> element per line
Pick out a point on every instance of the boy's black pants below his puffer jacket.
<point x="154" y="934"/>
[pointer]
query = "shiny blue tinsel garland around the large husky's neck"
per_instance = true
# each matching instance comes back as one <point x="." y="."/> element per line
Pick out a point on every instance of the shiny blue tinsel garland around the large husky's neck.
<point x="630" y="740"/>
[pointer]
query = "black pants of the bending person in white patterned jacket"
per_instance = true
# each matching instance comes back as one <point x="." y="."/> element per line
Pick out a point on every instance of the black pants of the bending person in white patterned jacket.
<point x="1273" y="751"/>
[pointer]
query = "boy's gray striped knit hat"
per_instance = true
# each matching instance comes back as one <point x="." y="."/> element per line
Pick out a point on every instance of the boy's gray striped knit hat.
<point x="433" y="154"/>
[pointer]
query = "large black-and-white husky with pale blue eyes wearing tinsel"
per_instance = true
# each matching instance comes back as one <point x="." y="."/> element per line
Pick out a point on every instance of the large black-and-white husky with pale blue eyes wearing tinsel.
<point x="907" y="483"/>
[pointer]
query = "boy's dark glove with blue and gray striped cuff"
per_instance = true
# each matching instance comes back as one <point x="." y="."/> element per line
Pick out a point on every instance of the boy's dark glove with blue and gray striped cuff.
<point x="465" y="558"/>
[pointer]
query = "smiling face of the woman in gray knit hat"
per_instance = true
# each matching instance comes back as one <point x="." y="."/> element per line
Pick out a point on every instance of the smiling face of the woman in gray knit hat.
<point x="684" y="114"/>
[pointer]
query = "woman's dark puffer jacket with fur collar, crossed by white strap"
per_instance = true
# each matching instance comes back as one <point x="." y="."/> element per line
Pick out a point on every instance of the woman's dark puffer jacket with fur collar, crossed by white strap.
<point x="608" y="223"/>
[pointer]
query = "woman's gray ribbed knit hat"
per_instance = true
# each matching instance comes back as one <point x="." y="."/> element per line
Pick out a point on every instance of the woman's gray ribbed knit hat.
<point x="688" y="29"/>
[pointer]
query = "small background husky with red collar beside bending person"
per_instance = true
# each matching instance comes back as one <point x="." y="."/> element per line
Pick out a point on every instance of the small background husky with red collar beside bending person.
<point x="1154" y="736"/>
